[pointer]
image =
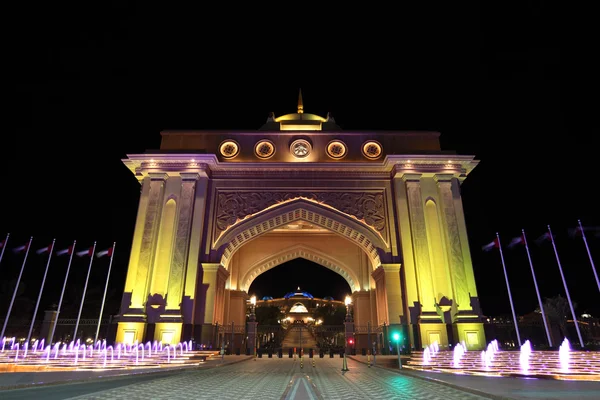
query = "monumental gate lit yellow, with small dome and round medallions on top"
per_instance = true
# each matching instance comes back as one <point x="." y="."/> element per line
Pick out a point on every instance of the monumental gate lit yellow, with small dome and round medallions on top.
<point x="383" y="209"/>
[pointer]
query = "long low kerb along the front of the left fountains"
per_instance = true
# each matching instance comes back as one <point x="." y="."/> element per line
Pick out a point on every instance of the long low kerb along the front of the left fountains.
<point x="166" y="372"/>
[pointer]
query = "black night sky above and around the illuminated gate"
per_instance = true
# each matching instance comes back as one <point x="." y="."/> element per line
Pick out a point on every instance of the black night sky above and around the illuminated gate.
<point x="90" y="84"/>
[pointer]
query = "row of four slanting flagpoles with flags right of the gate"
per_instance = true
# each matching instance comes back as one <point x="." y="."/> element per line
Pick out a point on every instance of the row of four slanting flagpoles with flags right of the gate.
<point x="580" y="230"/>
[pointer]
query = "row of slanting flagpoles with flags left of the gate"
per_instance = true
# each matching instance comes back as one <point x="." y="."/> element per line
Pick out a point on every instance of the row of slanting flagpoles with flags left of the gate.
<point x="68" y="251"/>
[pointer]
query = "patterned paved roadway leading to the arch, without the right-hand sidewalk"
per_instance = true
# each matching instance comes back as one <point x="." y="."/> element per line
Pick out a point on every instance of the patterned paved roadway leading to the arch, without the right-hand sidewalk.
<point x="261" y="379"/>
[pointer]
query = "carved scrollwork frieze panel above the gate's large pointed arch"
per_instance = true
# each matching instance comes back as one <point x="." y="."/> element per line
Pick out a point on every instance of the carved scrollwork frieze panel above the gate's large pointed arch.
<point x="364" y="206"/>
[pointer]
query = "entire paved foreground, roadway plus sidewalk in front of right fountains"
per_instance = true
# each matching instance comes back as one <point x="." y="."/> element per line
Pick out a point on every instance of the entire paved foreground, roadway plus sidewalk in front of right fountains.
<point x="287" y="379"/>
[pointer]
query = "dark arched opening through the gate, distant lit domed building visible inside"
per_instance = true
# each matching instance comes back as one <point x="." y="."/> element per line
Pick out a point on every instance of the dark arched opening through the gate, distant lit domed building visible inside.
<point x="309" y="316"/>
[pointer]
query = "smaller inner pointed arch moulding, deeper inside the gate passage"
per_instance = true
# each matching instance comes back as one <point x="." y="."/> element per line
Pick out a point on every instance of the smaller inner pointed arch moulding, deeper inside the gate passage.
<point x="299" y="251"/>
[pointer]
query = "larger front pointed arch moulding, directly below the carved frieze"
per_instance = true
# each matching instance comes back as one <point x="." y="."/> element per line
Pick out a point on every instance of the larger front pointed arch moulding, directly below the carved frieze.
<point x="306" y="210"/>
